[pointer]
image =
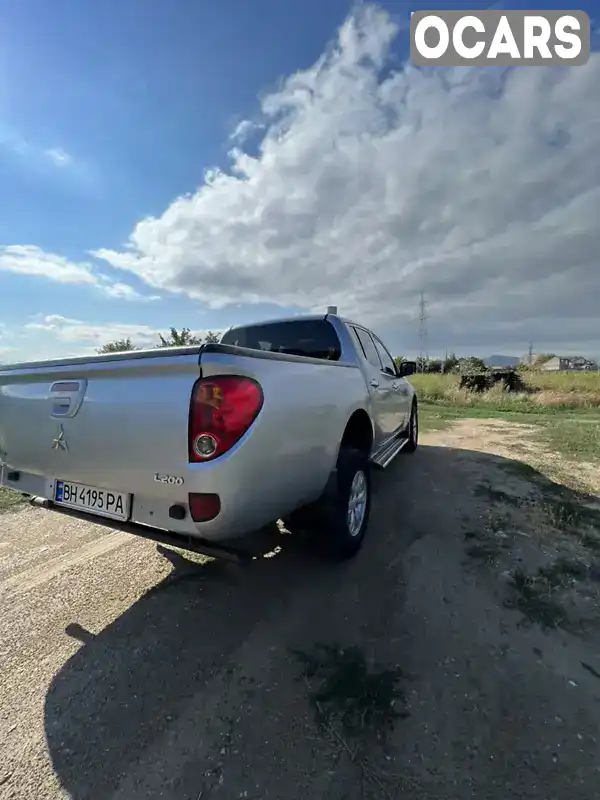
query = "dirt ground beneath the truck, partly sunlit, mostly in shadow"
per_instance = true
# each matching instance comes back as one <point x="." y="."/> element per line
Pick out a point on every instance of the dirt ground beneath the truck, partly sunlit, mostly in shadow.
<point x="458" y="656"/>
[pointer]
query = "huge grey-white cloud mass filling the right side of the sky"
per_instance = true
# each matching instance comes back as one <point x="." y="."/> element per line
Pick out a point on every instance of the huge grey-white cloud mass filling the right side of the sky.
<point x="480" y="187"/>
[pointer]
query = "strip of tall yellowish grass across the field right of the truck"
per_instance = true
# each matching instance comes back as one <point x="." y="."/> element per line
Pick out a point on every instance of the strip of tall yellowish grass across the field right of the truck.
<point x="546" y="393"/>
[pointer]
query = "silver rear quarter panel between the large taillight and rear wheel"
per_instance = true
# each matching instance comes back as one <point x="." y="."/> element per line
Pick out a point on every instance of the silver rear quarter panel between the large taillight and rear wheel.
<point x="286" y="457"/>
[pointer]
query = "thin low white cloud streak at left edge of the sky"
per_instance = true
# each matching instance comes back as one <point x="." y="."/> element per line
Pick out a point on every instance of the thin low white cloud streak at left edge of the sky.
<point x="31" y="260"/>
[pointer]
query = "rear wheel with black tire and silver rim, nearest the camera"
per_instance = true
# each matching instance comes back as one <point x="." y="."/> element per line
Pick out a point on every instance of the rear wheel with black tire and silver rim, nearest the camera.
<point x="339" y="530"/>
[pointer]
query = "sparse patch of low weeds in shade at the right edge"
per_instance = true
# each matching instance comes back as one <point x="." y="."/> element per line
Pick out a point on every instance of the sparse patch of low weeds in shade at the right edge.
<point x="561" y="529"/>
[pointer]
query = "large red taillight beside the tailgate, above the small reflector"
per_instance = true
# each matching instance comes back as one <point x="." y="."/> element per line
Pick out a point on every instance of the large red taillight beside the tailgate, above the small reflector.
<point x="221" y="411"/>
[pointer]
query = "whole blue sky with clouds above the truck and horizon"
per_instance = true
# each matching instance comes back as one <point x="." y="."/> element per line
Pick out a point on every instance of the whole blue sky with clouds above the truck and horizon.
<point x="111" y="111"/>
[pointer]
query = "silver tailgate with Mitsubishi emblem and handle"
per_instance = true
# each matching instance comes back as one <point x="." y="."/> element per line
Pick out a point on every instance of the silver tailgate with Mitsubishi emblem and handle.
<point x="109" y="421"/>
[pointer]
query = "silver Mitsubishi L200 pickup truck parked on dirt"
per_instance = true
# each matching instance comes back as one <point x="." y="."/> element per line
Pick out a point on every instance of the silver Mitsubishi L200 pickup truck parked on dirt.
<point x="197" y="445"/>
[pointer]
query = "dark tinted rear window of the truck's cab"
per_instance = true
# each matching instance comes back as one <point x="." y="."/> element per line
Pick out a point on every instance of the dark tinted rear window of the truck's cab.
<point x="313" y="338"/>
